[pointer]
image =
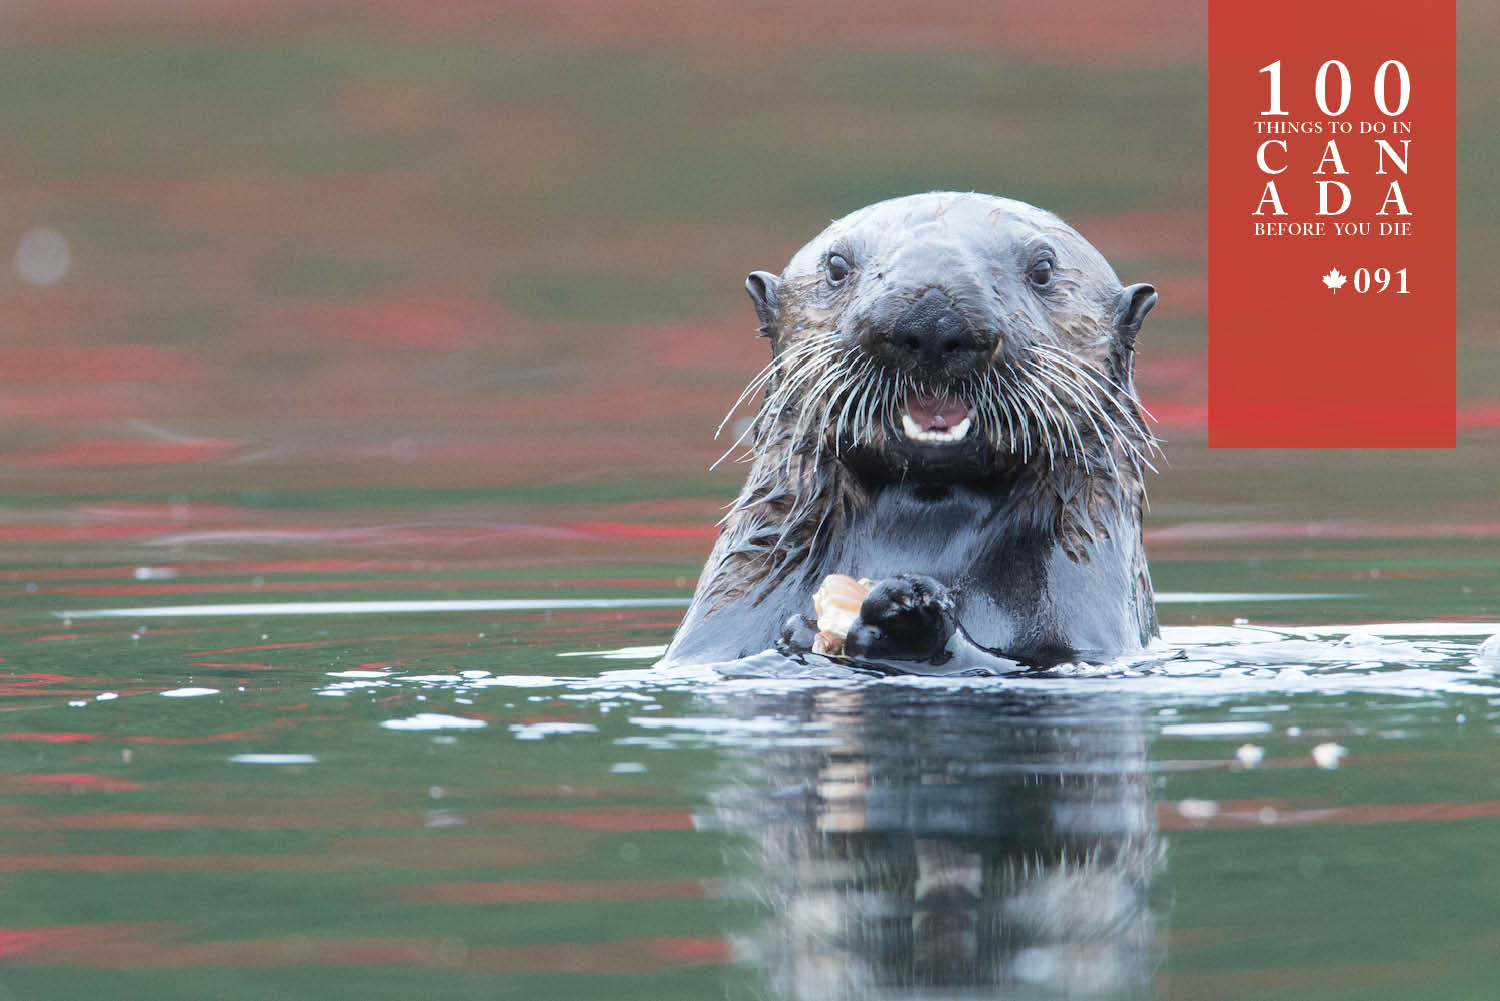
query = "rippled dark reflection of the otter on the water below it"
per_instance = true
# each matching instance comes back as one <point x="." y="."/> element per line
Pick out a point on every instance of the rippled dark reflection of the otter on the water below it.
<point x="952" y="846"/>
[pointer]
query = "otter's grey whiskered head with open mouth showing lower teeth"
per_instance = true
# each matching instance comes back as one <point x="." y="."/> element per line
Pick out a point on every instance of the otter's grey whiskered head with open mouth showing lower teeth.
<point x="952" y="337"/>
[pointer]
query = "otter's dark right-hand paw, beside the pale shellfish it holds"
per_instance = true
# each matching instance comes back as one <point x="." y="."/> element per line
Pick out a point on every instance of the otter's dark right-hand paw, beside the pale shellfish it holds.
<point x="907" y="618"/>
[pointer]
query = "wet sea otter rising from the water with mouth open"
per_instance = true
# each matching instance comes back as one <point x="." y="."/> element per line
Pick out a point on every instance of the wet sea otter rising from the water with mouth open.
<point x="950" y="410"/>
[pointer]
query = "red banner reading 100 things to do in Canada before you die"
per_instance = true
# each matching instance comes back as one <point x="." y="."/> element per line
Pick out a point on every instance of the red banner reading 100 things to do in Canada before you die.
<point x="1331" y="224"/>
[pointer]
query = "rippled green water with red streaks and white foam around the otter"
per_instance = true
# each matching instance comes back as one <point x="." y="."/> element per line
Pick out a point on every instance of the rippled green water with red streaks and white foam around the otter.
<point x="491" y="804"/>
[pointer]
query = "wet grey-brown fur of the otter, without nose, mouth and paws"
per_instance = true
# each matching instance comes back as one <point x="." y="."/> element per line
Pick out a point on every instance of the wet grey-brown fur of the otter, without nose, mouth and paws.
<point x="1057" y="467"/>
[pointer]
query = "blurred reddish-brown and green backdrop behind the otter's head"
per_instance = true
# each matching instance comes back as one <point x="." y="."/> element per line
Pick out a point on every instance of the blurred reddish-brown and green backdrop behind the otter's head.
<point x="283" y="254"/>
